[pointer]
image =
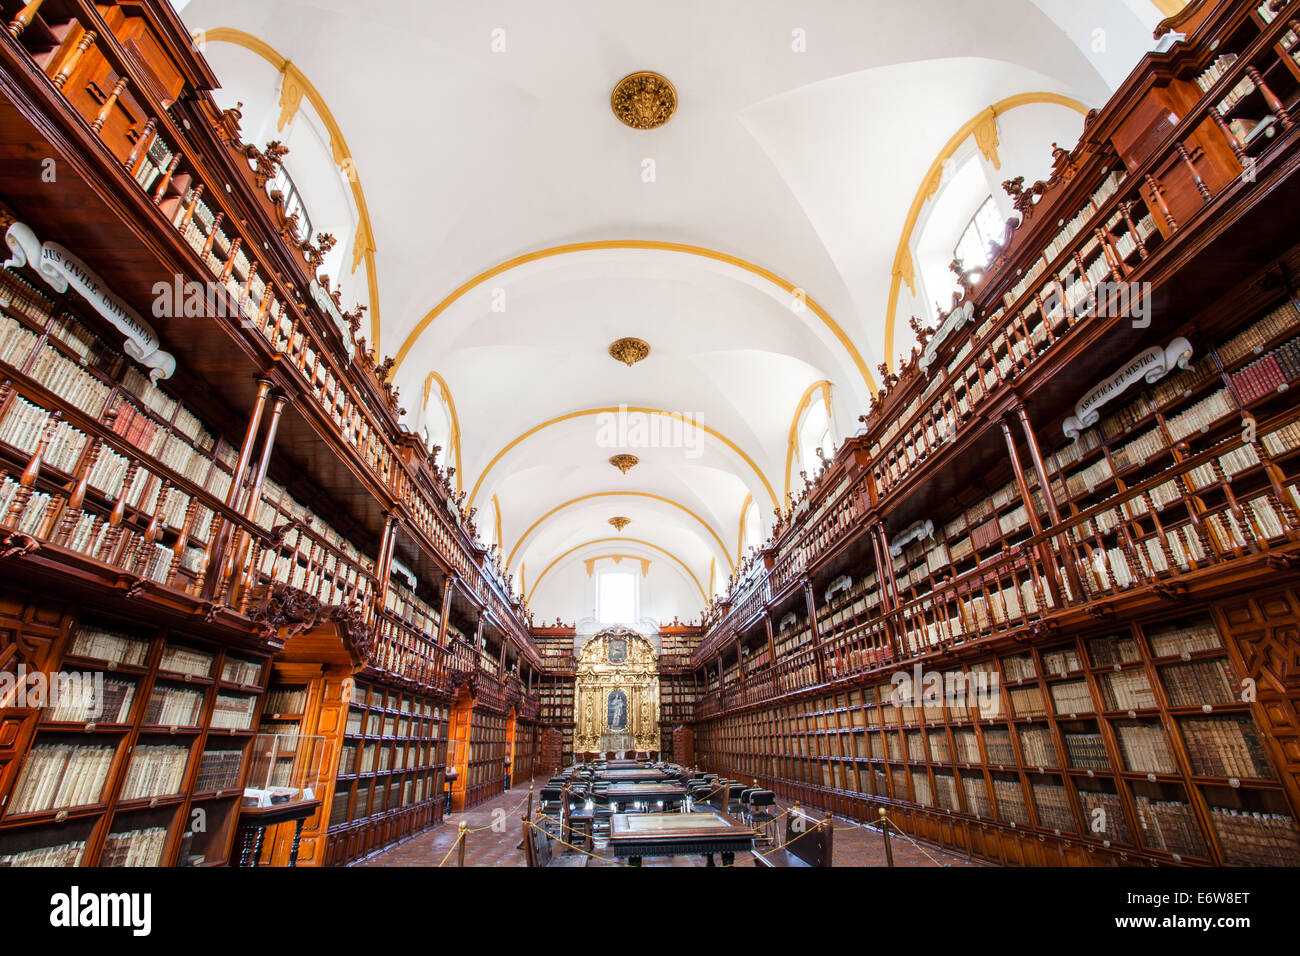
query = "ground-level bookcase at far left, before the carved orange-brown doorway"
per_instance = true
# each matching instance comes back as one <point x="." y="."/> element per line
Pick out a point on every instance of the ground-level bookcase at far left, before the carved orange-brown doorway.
<point x="131" y="746"/>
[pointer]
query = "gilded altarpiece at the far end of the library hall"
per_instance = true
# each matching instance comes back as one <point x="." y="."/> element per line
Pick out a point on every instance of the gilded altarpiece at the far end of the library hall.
<point x="618" y="694"/>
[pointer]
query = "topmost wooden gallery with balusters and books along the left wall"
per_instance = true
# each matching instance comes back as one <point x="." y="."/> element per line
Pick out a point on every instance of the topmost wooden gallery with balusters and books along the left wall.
<point x="172" y="155"/>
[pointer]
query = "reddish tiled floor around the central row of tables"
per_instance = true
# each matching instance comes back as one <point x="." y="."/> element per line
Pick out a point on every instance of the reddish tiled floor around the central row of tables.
<point x="497" y="832"/>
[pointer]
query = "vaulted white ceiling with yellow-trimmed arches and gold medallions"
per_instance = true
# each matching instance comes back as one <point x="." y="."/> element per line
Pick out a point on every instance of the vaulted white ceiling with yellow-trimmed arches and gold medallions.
<point x="521" y="228"/>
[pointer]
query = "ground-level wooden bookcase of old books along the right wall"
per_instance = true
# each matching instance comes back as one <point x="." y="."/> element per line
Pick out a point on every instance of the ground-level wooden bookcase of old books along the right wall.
<point x="1136" y="739"/>
